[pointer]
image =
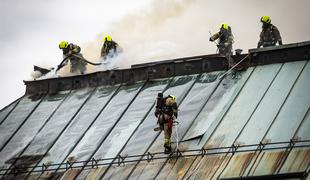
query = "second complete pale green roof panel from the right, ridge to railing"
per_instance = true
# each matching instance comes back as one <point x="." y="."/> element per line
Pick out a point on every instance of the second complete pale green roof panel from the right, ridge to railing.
<point x="243" y="106"/>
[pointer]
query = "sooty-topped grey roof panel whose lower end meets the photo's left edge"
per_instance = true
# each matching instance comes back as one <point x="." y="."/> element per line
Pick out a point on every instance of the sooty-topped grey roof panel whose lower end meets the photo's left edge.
<point x="32" y="126"/>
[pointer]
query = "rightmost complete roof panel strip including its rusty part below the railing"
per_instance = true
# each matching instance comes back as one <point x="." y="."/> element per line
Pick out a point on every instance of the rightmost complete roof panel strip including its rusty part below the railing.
<point x="262" y="118"/>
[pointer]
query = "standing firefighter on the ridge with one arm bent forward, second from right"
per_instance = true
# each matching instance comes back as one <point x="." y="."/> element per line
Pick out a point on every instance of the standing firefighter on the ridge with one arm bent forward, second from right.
<point x="225" y="41"/>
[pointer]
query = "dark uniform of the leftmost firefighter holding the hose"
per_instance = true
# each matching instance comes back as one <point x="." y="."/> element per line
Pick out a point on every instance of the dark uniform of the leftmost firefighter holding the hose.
<point x="76" y="63"/>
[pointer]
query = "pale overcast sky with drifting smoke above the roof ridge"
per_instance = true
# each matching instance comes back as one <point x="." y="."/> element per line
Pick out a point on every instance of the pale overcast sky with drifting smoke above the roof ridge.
<point x="147" y="30"/>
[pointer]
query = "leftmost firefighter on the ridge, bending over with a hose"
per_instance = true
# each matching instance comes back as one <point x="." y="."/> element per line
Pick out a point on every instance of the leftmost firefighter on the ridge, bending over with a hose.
<point x="76" y="63"/>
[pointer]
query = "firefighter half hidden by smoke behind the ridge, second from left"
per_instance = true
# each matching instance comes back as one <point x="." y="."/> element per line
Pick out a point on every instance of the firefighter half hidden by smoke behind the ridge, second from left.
<point x="109" y="48"/>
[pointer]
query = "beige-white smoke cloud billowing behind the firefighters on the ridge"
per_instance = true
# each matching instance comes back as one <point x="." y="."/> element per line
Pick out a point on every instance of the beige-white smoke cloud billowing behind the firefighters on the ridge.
<point x="170" y="29"/>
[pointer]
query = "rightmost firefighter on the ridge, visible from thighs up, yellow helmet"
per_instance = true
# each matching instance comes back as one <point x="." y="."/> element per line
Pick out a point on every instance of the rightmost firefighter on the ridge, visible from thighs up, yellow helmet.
<point x="270" y="34"/>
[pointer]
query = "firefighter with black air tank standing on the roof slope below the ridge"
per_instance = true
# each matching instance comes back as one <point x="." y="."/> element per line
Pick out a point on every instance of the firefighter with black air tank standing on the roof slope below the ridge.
<point x="166" y="111"/>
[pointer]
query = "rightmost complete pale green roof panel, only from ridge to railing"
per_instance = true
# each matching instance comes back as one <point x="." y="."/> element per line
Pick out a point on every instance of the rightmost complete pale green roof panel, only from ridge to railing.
<point x="270" y="105"/>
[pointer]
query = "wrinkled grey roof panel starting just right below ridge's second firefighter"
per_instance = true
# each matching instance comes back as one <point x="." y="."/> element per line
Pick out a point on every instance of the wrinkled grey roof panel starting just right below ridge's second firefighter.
<point x="105" y="122"/>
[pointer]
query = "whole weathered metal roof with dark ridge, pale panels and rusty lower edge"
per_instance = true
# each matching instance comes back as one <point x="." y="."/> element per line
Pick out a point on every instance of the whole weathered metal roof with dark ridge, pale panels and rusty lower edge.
<point x="252" y="124"/>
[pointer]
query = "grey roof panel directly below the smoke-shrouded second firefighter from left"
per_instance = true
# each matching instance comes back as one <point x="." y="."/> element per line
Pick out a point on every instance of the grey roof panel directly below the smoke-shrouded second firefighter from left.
<point x="79" y="125"/>
